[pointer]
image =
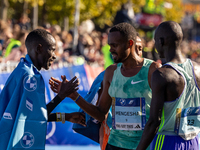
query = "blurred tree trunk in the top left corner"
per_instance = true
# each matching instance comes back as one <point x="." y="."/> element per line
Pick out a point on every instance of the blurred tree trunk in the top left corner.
<point x="3" y="9"/>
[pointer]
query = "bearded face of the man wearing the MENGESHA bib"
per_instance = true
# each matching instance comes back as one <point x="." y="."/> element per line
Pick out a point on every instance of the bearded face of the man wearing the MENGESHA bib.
<point x="118" y="47"/>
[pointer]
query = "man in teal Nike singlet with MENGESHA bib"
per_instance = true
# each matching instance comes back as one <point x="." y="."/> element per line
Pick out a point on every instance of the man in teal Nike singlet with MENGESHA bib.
<point x="126" y="85"/>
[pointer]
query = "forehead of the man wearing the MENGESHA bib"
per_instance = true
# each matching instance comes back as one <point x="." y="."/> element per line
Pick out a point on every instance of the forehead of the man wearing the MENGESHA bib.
<point x="114" y="37"/>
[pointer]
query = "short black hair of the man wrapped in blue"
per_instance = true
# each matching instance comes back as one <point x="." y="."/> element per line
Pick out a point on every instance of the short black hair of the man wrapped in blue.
<point x="37" y="36"/>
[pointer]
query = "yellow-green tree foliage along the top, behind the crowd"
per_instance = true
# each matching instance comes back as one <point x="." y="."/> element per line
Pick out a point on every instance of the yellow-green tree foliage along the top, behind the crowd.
<point x="102" y="12"/>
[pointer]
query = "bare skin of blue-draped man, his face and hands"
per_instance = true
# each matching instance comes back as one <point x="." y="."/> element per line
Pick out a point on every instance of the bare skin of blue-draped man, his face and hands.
<point x="42" y="54"/>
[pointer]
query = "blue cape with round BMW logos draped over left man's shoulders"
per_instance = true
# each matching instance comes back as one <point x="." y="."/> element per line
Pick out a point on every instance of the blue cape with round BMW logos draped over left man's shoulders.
<point x="23" y="114"/>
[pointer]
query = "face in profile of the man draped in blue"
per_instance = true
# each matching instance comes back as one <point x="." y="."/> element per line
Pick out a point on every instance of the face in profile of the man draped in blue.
<point x="47" y="55"/>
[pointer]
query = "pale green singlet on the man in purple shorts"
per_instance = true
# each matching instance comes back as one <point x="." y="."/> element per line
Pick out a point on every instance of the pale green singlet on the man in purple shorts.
<point x="190" y="97"/>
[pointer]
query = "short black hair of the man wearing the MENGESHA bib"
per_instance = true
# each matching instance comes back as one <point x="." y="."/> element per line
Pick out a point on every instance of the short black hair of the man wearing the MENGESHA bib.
<point x="126" y="30"/>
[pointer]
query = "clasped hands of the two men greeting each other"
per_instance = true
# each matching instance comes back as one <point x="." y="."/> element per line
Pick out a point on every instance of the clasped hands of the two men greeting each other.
<point x="64" y="88"/>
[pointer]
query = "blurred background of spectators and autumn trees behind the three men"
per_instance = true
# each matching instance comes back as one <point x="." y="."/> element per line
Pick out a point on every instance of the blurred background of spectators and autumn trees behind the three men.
<point x="81" y="26"/>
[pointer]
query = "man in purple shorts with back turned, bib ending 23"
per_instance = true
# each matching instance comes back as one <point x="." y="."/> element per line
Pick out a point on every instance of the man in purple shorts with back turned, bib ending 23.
<point x="174" y="116"/>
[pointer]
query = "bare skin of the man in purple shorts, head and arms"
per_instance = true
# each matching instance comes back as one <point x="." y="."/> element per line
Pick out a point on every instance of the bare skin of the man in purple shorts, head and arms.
<point x="167" y="84"/>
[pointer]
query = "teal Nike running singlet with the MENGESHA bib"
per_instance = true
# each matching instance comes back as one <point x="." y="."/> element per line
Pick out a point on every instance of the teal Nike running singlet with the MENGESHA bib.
<point x="131" y="97"/>
